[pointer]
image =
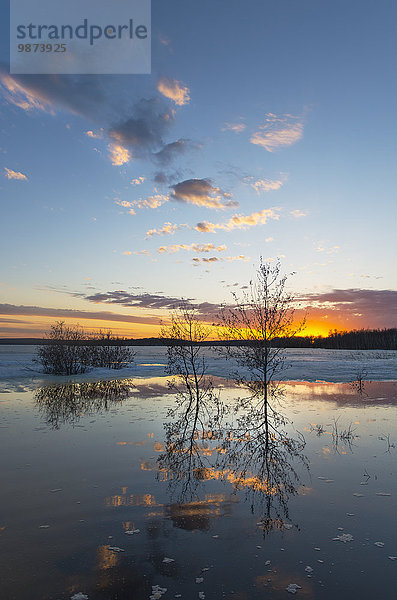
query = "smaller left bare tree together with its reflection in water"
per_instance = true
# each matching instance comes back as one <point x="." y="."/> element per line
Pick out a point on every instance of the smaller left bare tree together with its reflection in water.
<point x="195" y="418"/>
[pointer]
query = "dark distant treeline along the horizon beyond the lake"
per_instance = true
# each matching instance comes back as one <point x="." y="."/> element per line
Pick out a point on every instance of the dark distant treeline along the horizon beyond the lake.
<point x="357" y="339"/>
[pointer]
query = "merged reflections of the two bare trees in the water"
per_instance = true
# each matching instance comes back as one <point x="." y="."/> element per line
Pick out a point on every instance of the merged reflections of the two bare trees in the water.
<point x="244" y="446"/>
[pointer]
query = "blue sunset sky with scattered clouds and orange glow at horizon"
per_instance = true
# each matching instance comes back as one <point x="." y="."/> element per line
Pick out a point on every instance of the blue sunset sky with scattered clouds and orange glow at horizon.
<point x="266" y="129"/>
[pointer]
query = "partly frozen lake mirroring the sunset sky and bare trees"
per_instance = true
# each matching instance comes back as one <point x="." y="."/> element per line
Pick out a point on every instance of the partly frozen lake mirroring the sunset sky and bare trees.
<point x="113" y="490"/>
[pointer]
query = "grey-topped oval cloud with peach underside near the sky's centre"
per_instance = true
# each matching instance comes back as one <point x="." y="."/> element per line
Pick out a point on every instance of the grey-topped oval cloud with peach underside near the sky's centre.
<point x="201" y="192"/>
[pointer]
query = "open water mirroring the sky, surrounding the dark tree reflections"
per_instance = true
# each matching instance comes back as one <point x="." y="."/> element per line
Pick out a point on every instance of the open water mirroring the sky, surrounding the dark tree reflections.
<point x="70" y="494"/>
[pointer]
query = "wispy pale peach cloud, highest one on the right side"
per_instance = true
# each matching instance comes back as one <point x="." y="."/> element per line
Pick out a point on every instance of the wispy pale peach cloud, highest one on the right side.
<point x="278" y="131"/>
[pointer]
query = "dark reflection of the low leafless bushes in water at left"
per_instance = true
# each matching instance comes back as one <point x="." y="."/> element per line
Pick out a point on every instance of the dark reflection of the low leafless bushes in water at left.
<point x="67" y="403"/>
